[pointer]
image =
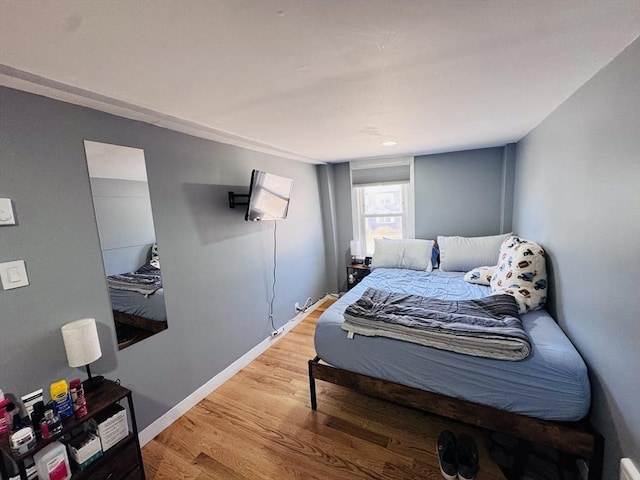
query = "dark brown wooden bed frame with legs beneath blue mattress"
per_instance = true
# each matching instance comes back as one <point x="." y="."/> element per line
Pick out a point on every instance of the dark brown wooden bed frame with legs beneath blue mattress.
<point x="577" y="438"/>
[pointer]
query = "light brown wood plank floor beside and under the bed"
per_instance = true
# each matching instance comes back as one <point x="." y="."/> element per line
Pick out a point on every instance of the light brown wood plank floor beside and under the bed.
<point x="259" y="425"/>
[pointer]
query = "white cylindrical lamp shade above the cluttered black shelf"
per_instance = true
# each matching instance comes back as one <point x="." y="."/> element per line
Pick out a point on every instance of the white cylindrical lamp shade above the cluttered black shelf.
<point x="81" y="342"/>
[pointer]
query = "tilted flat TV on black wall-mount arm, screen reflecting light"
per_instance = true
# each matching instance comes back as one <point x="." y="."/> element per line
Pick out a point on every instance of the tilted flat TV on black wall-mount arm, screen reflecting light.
<point x="269" y="196"/>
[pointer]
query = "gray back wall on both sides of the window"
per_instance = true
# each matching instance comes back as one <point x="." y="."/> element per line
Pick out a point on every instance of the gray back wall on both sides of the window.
<point x="465" y="193"/>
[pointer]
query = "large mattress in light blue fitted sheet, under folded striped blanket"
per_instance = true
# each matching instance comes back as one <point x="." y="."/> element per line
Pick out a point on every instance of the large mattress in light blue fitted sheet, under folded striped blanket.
<point x="550" y="384"/>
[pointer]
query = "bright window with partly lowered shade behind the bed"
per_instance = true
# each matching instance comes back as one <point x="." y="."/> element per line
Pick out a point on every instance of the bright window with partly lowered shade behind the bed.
<point x="382" y="200"/>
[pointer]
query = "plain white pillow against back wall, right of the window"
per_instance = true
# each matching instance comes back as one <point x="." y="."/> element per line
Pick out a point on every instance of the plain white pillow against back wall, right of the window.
<point x="461" y="254"/>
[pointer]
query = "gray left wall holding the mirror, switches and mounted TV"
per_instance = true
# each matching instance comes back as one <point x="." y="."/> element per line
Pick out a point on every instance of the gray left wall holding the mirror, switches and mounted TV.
<point x="217" y="268"/>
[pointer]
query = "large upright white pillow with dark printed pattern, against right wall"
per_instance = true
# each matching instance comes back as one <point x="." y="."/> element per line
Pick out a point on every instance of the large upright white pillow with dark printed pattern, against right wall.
<point x="522" y="273"/>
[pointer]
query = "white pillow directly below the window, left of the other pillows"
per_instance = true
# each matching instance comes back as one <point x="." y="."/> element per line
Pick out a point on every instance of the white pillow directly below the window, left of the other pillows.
<point x="412" y="254"/>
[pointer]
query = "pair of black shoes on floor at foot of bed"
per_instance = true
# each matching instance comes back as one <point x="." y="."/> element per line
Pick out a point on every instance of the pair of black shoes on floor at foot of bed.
<point x="458" y="456"/>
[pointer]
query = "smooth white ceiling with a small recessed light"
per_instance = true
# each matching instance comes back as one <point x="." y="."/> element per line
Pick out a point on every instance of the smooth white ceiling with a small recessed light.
<point x="318" y="80"/>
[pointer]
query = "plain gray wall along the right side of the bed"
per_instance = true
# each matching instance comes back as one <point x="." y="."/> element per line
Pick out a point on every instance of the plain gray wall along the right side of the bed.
<point x="578" y="194"/>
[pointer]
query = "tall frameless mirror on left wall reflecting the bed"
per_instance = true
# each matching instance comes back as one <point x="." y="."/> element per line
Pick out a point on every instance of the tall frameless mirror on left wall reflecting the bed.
<point x="122" y="205"/>
